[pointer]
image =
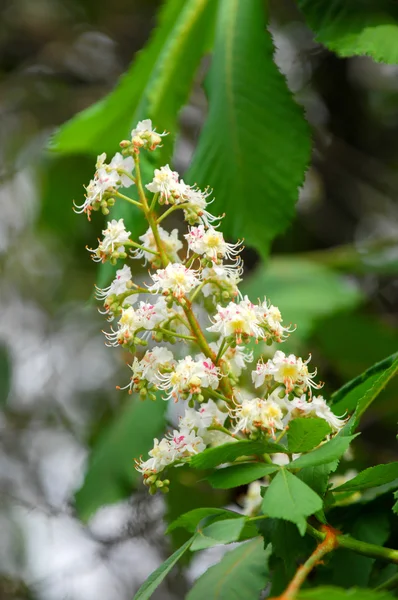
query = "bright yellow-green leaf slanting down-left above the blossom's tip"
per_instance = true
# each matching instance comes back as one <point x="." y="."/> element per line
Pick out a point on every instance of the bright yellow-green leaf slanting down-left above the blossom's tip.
<point x="156" y="85"/>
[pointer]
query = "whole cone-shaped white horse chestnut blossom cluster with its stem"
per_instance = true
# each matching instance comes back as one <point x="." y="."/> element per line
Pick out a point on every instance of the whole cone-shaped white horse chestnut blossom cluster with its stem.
<point x="198" y="330"/>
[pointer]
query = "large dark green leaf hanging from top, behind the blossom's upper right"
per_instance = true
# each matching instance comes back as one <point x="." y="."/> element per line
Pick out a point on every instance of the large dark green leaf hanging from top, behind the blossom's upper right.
<point x="255" y="145"/>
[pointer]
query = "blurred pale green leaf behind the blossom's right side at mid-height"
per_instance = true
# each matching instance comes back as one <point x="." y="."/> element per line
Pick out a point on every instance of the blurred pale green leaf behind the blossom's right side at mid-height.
<point x="304" y="291"/>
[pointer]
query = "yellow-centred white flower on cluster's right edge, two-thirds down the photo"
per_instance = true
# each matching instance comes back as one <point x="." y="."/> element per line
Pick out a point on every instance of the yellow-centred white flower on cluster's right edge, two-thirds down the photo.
<point x="289" y="370"/>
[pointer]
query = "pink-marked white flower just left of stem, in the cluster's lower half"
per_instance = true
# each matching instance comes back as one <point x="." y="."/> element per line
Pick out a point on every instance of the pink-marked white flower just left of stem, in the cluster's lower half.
<point x="188" y="378"/>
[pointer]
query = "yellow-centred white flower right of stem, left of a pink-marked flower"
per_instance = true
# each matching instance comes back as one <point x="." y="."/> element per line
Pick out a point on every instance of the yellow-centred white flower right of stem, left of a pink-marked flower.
<point x="237" y="319"/>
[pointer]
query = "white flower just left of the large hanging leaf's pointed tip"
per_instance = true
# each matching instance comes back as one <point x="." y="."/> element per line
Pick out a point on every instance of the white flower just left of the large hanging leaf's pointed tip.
<point x="211" y="243"/>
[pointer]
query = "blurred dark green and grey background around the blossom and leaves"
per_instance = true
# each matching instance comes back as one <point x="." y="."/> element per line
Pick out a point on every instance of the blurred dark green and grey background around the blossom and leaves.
<point x="333" y="273"/>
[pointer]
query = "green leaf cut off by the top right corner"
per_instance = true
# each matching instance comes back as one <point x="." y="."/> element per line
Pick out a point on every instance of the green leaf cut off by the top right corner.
<point x="352" y="28"/>
